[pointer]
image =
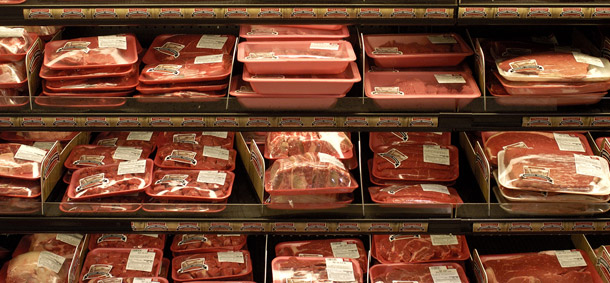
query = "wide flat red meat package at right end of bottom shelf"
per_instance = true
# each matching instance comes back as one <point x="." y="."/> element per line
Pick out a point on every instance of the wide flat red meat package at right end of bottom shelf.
<point x="547" y="266"/>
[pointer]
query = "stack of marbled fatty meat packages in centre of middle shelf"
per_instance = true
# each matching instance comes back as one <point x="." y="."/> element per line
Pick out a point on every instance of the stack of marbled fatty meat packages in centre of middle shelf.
<point x="309" y="170"/>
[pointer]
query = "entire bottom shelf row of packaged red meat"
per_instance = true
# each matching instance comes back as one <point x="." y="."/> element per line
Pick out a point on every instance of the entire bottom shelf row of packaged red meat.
<point x="162" y="258"/>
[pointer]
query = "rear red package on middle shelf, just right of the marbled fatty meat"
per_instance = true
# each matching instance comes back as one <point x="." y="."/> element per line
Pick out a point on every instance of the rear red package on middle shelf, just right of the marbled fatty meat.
<point x="381" y="139"/>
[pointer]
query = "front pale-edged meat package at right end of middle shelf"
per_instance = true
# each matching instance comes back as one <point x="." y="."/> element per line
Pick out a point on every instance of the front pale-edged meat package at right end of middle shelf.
<point x="558" y="172"/>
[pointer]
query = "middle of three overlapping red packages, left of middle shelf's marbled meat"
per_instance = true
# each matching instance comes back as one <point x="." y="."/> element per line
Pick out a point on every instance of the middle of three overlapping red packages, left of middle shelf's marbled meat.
<point x="195" y="157"/>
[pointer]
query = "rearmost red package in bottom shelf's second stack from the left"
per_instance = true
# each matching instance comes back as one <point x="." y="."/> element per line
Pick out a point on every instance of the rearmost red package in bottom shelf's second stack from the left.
<point x="128" y="241"/>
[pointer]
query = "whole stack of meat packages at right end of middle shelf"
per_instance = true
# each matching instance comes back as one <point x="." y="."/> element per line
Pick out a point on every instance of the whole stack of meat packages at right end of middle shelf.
<point x="538" y="168"/>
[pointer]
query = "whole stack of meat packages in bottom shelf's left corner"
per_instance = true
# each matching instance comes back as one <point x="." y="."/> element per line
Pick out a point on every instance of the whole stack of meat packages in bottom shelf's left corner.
<point x="43" y="258"/>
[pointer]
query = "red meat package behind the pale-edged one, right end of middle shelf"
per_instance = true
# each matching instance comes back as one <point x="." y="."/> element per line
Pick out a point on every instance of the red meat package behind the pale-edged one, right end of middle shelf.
<point x="494" y="142"/>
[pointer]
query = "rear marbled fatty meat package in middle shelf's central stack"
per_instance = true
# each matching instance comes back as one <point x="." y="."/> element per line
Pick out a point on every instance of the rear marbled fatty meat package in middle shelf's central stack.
<point x="285" y="144"/>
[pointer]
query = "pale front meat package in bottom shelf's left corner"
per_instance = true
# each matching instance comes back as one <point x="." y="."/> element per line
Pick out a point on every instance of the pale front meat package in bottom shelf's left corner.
<point x="40" y="266"/>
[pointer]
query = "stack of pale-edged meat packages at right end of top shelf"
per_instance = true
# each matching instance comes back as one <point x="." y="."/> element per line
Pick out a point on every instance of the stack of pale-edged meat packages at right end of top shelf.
<point x="531" y="73"/>
